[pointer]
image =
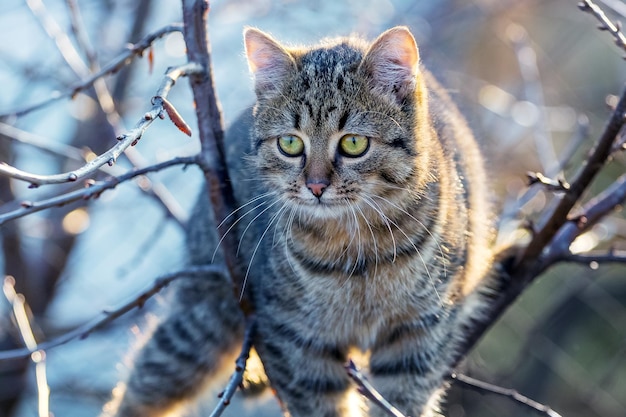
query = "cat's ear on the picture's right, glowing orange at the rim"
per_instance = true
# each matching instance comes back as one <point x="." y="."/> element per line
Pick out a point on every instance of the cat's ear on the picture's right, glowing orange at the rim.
<point x="392" y="63"/>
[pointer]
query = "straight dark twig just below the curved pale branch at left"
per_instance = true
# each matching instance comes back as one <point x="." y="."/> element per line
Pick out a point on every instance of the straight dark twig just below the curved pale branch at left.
<point x="91" y="191"/>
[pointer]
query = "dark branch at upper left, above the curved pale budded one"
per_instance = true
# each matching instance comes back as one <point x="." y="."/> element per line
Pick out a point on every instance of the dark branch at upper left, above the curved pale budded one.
<point x="122" y="60"/>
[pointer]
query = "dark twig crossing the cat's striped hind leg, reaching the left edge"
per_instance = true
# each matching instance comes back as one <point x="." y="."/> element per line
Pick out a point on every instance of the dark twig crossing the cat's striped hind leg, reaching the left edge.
<point x="107" y="317"/>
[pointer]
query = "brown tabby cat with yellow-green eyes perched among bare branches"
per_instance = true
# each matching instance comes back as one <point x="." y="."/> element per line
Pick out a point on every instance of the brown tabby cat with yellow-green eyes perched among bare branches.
<point x="364" y="229"/>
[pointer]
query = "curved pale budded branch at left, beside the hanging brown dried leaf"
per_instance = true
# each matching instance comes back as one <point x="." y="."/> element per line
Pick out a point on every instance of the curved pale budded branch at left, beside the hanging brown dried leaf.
<point x="124" y="141"/>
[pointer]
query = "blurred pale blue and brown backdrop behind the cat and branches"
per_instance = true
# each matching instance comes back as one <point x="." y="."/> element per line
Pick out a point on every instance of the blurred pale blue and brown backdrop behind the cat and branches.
<point x="534" y="78"/>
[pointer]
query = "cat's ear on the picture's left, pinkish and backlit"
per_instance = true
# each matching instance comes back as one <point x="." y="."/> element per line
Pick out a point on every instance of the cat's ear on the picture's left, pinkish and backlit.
<point x="269" y="62"/>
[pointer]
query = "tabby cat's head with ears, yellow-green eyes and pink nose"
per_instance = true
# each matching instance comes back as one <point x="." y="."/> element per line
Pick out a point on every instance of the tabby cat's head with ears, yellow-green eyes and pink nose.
<point x="335" y="125"/>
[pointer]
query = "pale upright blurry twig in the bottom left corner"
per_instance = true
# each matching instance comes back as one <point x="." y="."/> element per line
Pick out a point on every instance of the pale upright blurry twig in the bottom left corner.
<point x="38" y="356"/>
